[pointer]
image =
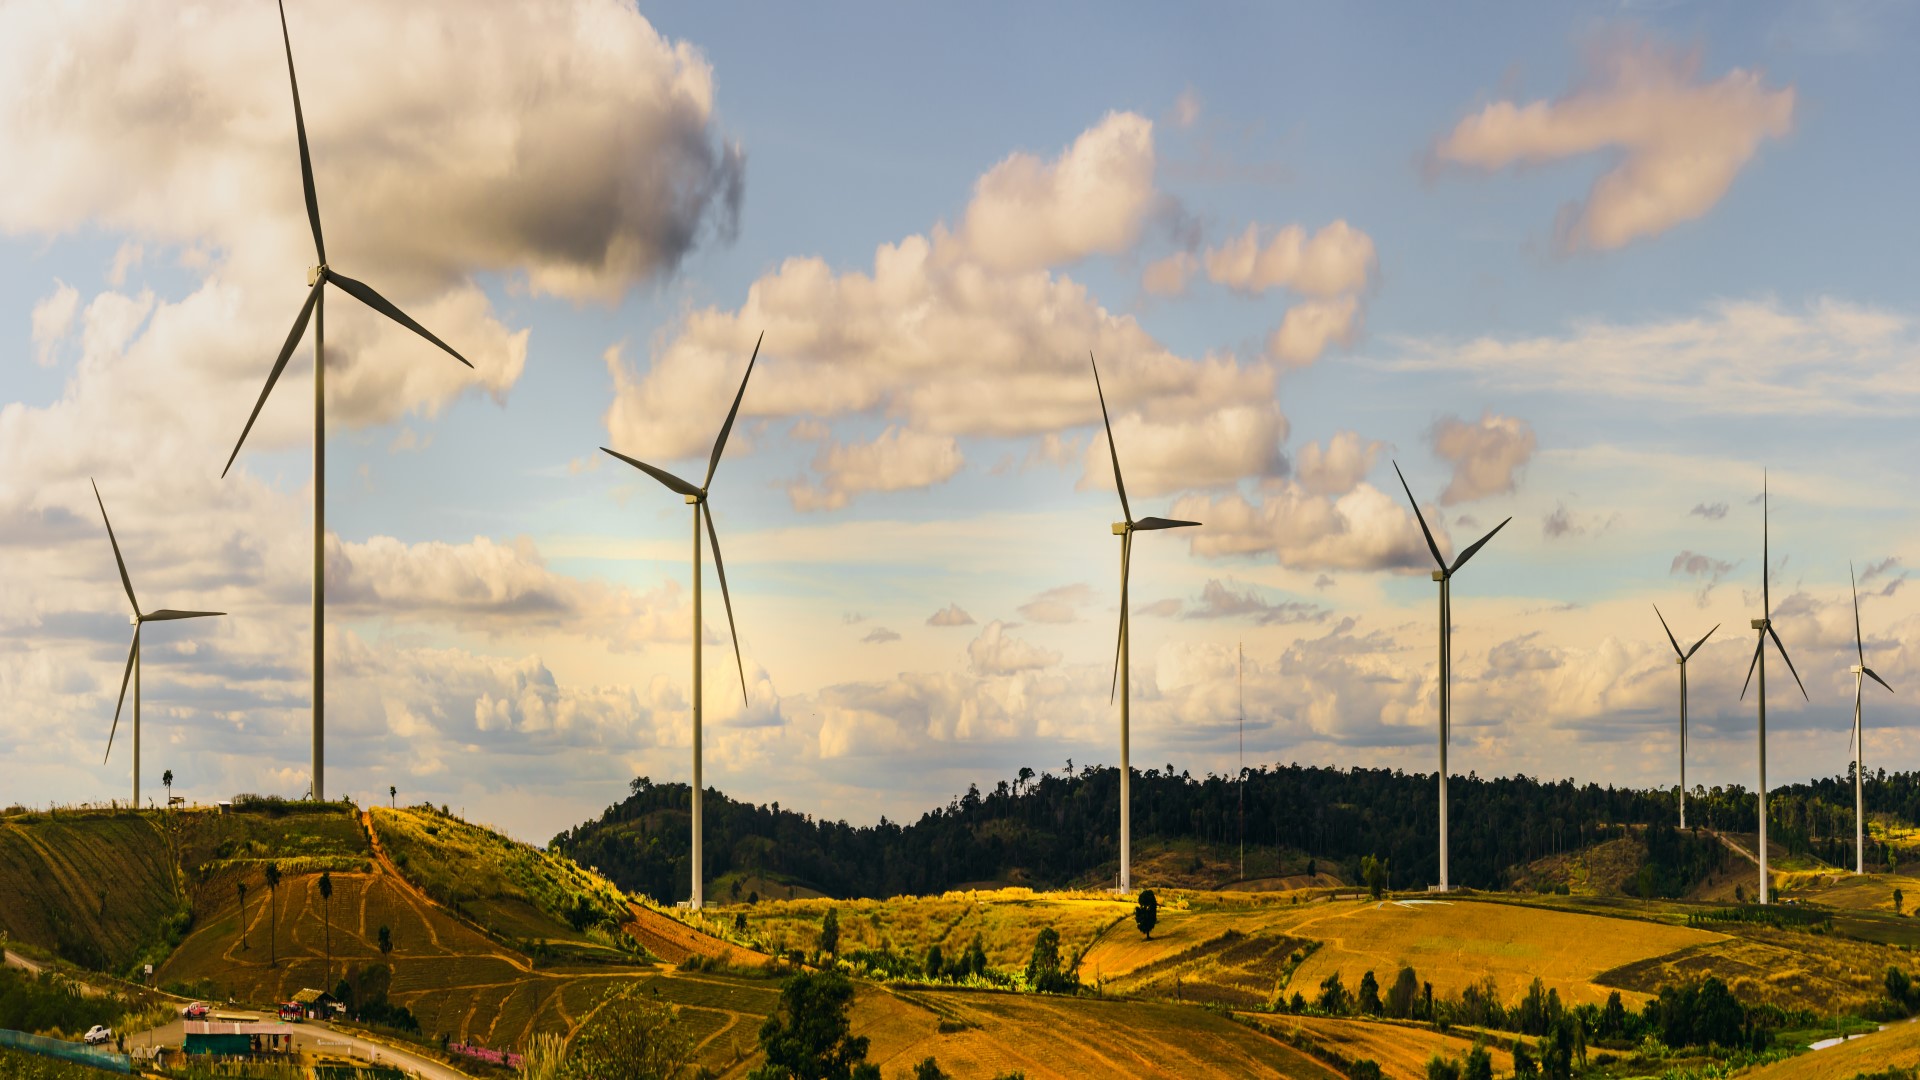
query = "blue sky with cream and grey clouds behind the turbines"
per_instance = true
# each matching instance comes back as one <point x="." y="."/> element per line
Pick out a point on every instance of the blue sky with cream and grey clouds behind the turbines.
<point x="1585" y="268"/>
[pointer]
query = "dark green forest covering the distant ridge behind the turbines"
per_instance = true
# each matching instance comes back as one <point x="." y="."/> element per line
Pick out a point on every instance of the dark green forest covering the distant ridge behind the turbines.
<point x="1059" y="829"/>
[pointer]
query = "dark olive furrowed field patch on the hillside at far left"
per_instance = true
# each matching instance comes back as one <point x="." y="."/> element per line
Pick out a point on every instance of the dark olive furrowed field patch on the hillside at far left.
<point x="95" y="889"/>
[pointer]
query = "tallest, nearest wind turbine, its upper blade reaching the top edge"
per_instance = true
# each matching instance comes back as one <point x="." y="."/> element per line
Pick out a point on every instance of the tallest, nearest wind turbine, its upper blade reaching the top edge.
<point x="316" y="310"/>
